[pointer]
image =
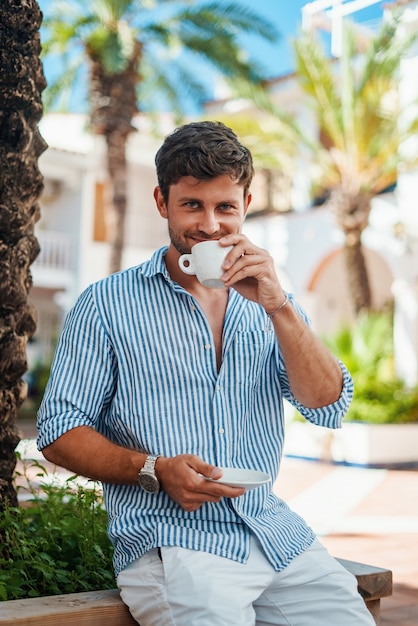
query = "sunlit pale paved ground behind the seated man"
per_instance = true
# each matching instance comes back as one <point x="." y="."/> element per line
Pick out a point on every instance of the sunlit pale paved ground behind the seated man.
<point x="364" y="515"/>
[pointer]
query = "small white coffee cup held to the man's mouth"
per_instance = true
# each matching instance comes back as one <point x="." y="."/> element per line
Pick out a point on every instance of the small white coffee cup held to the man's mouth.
<point x="205" y="261"/>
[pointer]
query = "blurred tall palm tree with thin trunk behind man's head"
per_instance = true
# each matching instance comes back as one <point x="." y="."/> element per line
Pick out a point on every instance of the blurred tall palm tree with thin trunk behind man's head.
<point x="134" y="50"/>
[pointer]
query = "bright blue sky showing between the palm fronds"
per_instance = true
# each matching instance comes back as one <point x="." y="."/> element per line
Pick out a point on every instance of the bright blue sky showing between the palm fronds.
<point x="277" y="59"/>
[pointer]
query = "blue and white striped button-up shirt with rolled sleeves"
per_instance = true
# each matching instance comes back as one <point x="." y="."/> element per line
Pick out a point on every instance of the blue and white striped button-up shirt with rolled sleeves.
<point x="136" y="360"/>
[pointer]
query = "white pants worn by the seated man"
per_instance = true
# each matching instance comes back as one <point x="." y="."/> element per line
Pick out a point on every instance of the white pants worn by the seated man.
<point x="190" y="588"/>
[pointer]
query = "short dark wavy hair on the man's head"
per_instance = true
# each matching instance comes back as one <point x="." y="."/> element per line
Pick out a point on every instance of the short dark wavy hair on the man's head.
<point x="203" y="150"/>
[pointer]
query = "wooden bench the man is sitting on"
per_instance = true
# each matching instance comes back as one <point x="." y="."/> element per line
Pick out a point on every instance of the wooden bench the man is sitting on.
<point x="105" y="608"/>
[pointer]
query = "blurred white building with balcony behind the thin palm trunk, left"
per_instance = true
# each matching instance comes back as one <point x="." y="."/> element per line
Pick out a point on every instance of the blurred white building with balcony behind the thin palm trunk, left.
<point x="72" y="228"/>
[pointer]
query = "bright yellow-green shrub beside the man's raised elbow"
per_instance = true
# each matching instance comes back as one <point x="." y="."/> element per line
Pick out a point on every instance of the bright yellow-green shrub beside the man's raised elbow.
<point x="366" y="348"/>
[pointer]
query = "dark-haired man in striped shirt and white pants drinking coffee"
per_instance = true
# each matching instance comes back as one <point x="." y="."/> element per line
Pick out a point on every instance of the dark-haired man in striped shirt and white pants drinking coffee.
<point x="160" y="376"/>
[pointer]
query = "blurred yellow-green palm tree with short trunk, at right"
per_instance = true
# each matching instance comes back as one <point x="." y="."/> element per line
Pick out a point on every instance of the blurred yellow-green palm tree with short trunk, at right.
<point x="358" y="115"/>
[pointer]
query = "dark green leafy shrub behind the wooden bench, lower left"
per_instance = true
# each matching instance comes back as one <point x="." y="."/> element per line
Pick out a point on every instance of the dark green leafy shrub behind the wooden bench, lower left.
<point x="56" y="543"/>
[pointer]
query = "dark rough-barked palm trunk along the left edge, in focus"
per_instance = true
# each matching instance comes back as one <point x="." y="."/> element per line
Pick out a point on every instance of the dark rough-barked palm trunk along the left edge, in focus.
<point x="21" y="84"/>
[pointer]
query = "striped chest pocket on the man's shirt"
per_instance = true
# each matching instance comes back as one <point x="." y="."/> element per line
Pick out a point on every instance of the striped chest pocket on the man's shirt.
<point x="250" y="352"/>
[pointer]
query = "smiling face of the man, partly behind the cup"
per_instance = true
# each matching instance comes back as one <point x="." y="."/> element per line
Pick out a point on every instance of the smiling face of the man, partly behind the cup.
<point x="202" y="210"/>
